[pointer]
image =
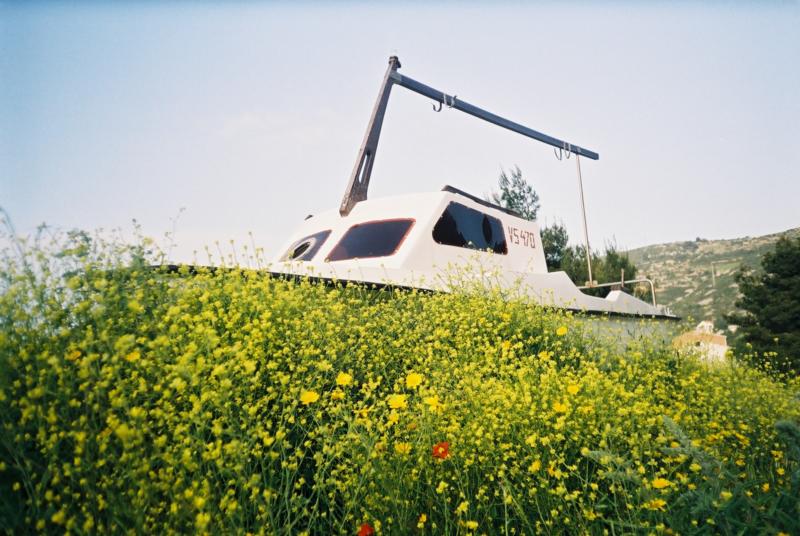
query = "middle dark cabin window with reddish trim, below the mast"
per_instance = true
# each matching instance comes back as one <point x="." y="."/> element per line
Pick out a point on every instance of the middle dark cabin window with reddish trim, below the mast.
<point x="371" y="239"/>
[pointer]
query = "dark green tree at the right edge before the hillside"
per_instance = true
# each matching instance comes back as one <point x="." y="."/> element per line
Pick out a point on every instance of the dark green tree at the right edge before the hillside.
<point x="769" y="320"/>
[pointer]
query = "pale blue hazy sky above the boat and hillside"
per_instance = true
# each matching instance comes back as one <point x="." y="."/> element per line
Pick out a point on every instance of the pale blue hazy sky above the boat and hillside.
<point x="250" y="114"/>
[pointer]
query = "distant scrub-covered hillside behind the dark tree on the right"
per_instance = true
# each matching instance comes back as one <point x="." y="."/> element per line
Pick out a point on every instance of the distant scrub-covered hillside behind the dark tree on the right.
<point x="682" y="271"/>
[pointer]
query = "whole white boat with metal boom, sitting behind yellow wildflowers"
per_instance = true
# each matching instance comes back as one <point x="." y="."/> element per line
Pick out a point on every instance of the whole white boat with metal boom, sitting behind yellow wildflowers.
<point x="442" y="240"/>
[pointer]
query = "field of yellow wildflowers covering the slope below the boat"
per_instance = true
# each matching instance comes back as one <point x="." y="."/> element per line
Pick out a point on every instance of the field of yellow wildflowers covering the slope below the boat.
<point x="226" y="401"/>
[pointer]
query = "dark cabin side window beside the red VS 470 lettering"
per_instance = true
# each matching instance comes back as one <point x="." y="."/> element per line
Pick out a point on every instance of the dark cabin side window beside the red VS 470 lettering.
<point x="465" y="227"/>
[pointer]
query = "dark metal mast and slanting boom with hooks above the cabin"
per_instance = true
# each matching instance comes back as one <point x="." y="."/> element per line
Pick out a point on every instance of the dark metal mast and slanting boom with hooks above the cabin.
<point x="359" y="180"/>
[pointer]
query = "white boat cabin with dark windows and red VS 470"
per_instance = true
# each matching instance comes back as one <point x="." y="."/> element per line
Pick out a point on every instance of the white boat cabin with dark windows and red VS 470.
<point x="419" y="231"/>
